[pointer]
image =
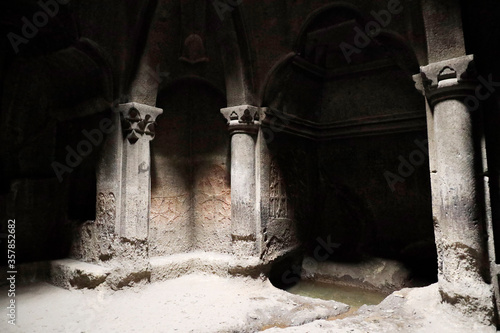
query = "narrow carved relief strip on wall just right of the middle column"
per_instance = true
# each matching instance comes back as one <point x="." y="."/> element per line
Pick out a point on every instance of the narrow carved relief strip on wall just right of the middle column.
<point x="278" y="199"/>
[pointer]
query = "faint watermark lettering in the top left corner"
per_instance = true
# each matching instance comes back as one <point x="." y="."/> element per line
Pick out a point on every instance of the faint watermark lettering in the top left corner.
<point x="29" y="30"/>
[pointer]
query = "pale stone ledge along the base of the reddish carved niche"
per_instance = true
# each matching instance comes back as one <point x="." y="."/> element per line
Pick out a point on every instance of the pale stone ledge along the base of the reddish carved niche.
<point x="176" y="265"/>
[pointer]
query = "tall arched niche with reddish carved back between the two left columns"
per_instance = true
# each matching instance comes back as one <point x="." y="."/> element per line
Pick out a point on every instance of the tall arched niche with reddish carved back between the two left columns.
<point x="190" y="190"/>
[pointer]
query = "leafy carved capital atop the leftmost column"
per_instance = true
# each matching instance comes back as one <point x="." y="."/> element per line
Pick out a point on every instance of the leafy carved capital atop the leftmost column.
<point x="138" y="121"/>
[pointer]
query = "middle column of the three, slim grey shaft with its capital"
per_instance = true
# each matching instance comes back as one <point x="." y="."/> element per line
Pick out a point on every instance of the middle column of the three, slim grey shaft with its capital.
<point x="244" y="124"/>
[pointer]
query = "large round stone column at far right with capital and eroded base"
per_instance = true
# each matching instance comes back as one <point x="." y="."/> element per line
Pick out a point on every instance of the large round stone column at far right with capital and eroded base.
<point x="457" y="193"/>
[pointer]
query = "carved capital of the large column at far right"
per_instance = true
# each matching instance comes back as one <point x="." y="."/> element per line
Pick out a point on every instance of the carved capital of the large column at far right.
<point x="449" y="79"/>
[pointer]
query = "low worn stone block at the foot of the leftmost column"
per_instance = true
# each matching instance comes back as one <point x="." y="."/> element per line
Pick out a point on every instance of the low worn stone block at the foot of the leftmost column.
<point x="73" y="274"/>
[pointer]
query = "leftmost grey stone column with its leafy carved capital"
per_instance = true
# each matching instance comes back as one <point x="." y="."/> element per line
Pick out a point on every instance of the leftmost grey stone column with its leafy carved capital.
<point x="138" y="125"/>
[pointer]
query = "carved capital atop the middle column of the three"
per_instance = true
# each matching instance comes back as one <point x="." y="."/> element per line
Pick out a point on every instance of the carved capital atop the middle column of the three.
<point x="243" y="118"/>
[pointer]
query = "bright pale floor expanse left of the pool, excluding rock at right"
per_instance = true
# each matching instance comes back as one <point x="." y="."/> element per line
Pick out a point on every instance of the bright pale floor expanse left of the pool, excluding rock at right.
<point x="193" y="303"/>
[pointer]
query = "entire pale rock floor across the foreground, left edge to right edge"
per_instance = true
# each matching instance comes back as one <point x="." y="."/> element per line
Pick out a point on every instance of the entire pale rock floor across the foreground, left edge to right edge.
<point x="207" y="303"/>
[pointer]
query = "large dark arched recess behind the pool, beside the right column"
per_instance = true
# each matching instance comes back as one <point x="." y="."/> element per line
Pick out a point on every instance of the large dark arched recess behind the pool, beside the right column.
<point x="362" y="122"/>
